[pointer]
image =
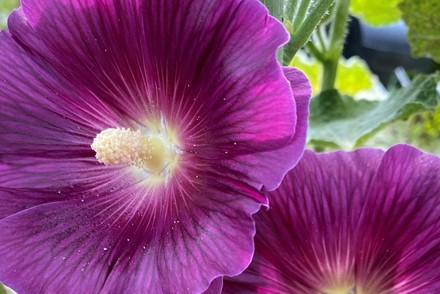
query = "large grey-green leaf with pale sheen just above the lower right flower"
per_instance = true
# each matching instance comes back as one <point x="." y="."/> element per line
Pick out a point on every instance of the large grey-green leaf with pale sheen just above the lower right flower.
<point x="341" y="121"/>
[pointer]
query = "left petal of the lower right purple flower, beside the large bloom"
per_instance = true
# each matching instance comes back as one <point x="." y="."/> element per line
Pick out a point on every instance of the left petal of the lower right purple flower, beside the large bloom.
<point x="311" y="218"/>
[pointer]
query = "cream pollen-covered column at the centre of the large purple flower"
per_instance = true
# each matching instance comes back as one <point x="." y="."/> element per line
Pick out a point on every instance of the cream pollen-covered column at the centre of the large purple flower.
<point x="152" y="152"/>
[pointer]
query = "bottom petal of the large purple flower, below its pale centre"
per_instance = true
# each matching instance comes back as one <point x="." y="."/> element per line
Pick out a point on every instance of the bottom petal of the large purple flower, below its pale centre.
<point x="121" y="242"/>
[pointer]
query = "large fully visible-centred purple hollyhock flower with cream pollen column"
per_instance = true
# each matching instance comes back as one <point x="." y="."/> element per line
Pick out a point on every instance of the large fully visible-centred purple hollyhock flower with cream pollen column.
<point x="135" y="139"/>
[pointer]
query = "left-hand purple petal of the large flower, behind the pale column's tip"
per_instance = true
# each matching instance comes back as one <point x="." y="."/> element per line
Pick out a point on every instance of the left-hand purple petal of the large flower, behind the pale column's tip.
<point x="46" y="134"/>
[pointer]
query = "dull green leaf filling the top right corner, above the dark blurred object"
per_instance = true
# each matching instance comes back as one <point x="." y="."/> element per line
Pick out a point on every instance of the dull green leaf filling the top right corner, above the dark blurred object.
<point x="422" y="18"/>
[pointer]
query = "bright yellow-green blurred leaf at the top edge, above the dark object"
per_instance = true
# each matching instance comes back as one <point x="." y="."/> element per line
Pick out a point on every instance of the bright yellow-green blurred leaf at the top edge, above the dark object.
<point x="376" y="12"/>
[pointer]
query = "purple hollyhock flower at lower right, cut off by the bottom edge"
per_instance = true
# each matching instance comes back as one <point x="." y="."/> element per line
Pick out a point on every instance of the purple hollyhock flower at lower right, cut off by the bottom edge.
<point x="366" y="221"/>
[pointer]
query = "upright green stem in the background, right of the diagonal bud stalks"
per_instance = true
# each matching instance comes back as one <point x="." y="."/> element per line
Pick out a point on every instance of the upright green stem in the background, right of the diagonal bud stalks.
<point x="336" y="44"/>
